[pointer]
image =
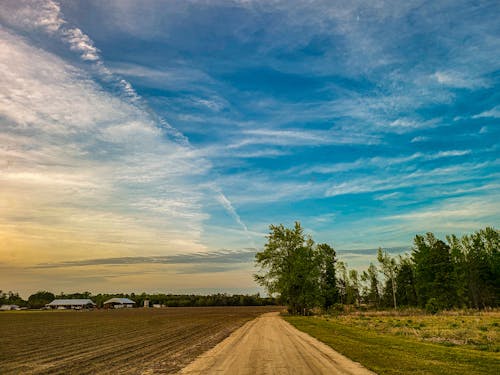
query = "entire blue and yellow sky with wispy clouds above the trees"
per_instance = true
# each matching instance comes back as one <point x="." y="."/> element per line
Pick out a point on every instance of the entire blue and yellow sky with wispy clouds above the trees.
<point x="147" y="146"/>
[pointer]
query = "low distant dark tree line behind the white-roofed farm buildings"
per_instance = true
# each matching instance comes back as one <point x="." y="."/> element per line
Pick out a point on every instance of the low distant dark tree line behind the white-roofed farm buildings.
<point x="41" y="298"/>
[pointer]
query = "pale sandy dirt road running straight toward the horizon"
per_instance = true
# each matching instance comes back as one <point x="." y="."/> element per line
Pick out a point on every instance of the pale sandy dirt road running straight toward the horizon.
<point x="269" y="345"/>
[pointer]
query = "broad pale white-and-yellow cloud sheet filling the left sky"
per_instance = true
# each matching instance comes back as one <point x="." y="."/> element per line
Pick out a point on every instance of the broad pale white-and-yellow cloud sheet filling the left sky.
<point x="91" y="157"/>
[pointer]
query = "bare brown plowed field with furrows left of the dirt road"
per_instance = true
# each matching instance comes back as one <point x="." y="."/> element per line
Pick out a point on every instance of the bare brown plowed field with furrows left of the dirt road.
<point x="134" y="341"/>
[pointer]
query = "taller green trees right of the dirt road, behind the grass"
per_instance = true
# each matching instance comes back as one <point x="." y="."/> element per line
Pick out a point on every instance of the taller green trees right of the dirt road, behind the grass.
<point x="435" y="275"/>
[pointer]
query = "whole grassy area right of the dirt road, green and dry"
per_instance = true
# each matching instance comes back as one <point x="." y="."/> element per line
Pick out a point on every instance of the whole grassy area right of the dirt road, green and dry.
<point x="386" y="343"/>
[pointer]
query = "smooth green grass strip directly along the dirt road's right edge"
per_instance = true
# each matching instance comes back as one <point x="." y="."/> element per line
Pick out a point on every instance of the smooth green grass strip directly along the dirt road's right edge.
<point x="389" y="354"/>
